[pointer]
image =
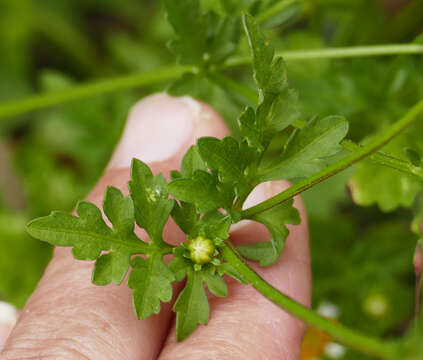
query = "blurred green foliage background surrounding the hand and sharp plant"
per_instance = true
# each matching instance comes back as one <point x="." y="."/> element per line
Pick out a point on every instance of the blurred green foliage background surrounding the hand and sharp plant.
<point x="361" y="256"/>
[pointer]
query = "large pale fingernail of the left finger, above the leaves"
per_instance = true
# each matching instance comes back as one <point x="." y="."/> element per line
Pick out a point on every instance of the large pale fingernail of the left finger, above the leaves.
<point x="158" y="127"/>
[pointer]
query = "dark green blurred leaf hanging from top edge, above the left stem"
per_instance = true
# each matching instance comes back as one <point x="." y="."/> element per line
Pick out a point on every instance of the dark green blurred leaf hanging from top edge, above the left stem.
<point x="190" y="28"/>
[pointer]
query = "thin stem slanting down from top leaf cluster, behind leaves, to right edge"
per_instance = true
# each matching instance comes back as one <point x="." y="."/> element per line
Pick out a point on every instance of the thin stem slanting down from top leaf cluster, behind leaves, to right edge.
<point x="378" y="157"/>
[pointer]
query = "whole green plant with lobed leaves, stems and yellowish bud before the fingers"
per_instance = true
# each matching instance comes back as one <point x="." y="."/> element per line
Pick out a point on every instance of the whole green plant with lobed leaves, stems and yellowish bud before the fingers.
<point x="217" y="174"/>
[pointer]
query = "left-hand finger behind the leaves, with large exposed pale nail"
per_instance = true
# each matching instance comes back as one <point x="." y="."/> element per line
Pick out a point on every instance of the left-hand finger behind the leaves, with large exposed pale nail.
<point x="69" y="318"/>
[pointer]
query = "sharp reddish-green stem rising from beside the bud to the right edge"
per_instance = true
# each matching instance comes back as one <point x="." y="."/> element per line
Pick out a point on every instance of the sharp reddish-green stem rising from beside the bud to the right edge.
<point x="340" y="165"/>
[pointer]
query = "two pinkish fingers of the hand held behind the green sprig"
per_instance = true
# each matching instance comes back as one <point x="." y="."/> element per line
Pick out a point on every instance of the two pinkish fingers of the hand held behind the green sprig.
<point x="69" y="318"/>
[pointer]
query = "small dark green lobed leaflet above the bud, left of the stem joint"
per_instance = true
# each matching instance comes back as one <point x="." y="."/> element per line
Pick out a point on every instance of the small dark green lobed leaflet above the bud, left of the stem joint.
<point x="200" y="190"/>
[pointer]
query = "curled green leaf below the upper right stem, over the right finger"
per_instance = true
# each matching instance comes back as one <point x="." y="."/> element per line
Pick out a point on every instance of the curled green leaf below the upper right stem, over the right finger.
<point x="274" y="219"/>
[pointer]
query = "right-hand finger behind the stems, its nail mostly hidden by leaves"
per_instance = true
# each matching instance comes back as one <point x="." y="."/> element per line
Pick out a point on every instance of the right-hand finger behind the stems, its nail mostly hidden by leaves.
<point x="245" y="325"/>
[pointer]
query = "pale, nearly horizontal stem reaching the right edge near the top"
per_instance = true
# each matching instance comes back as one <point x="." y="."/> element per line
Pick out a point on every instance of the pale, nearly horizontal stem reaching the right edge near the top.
<point x="334" y="53"/>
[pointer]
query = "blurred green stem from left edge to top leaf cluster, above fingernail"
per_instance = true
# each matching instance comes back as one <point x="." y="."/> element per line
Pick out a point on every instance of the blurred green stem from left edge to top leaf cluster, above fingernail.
<point x="42" y="101"/>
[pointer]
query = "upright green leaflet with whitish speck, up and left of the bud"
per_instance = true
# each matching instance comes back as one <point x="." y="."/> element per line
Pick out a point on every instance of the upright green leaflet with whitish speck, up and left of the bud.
<point x="150" y="196"/>
